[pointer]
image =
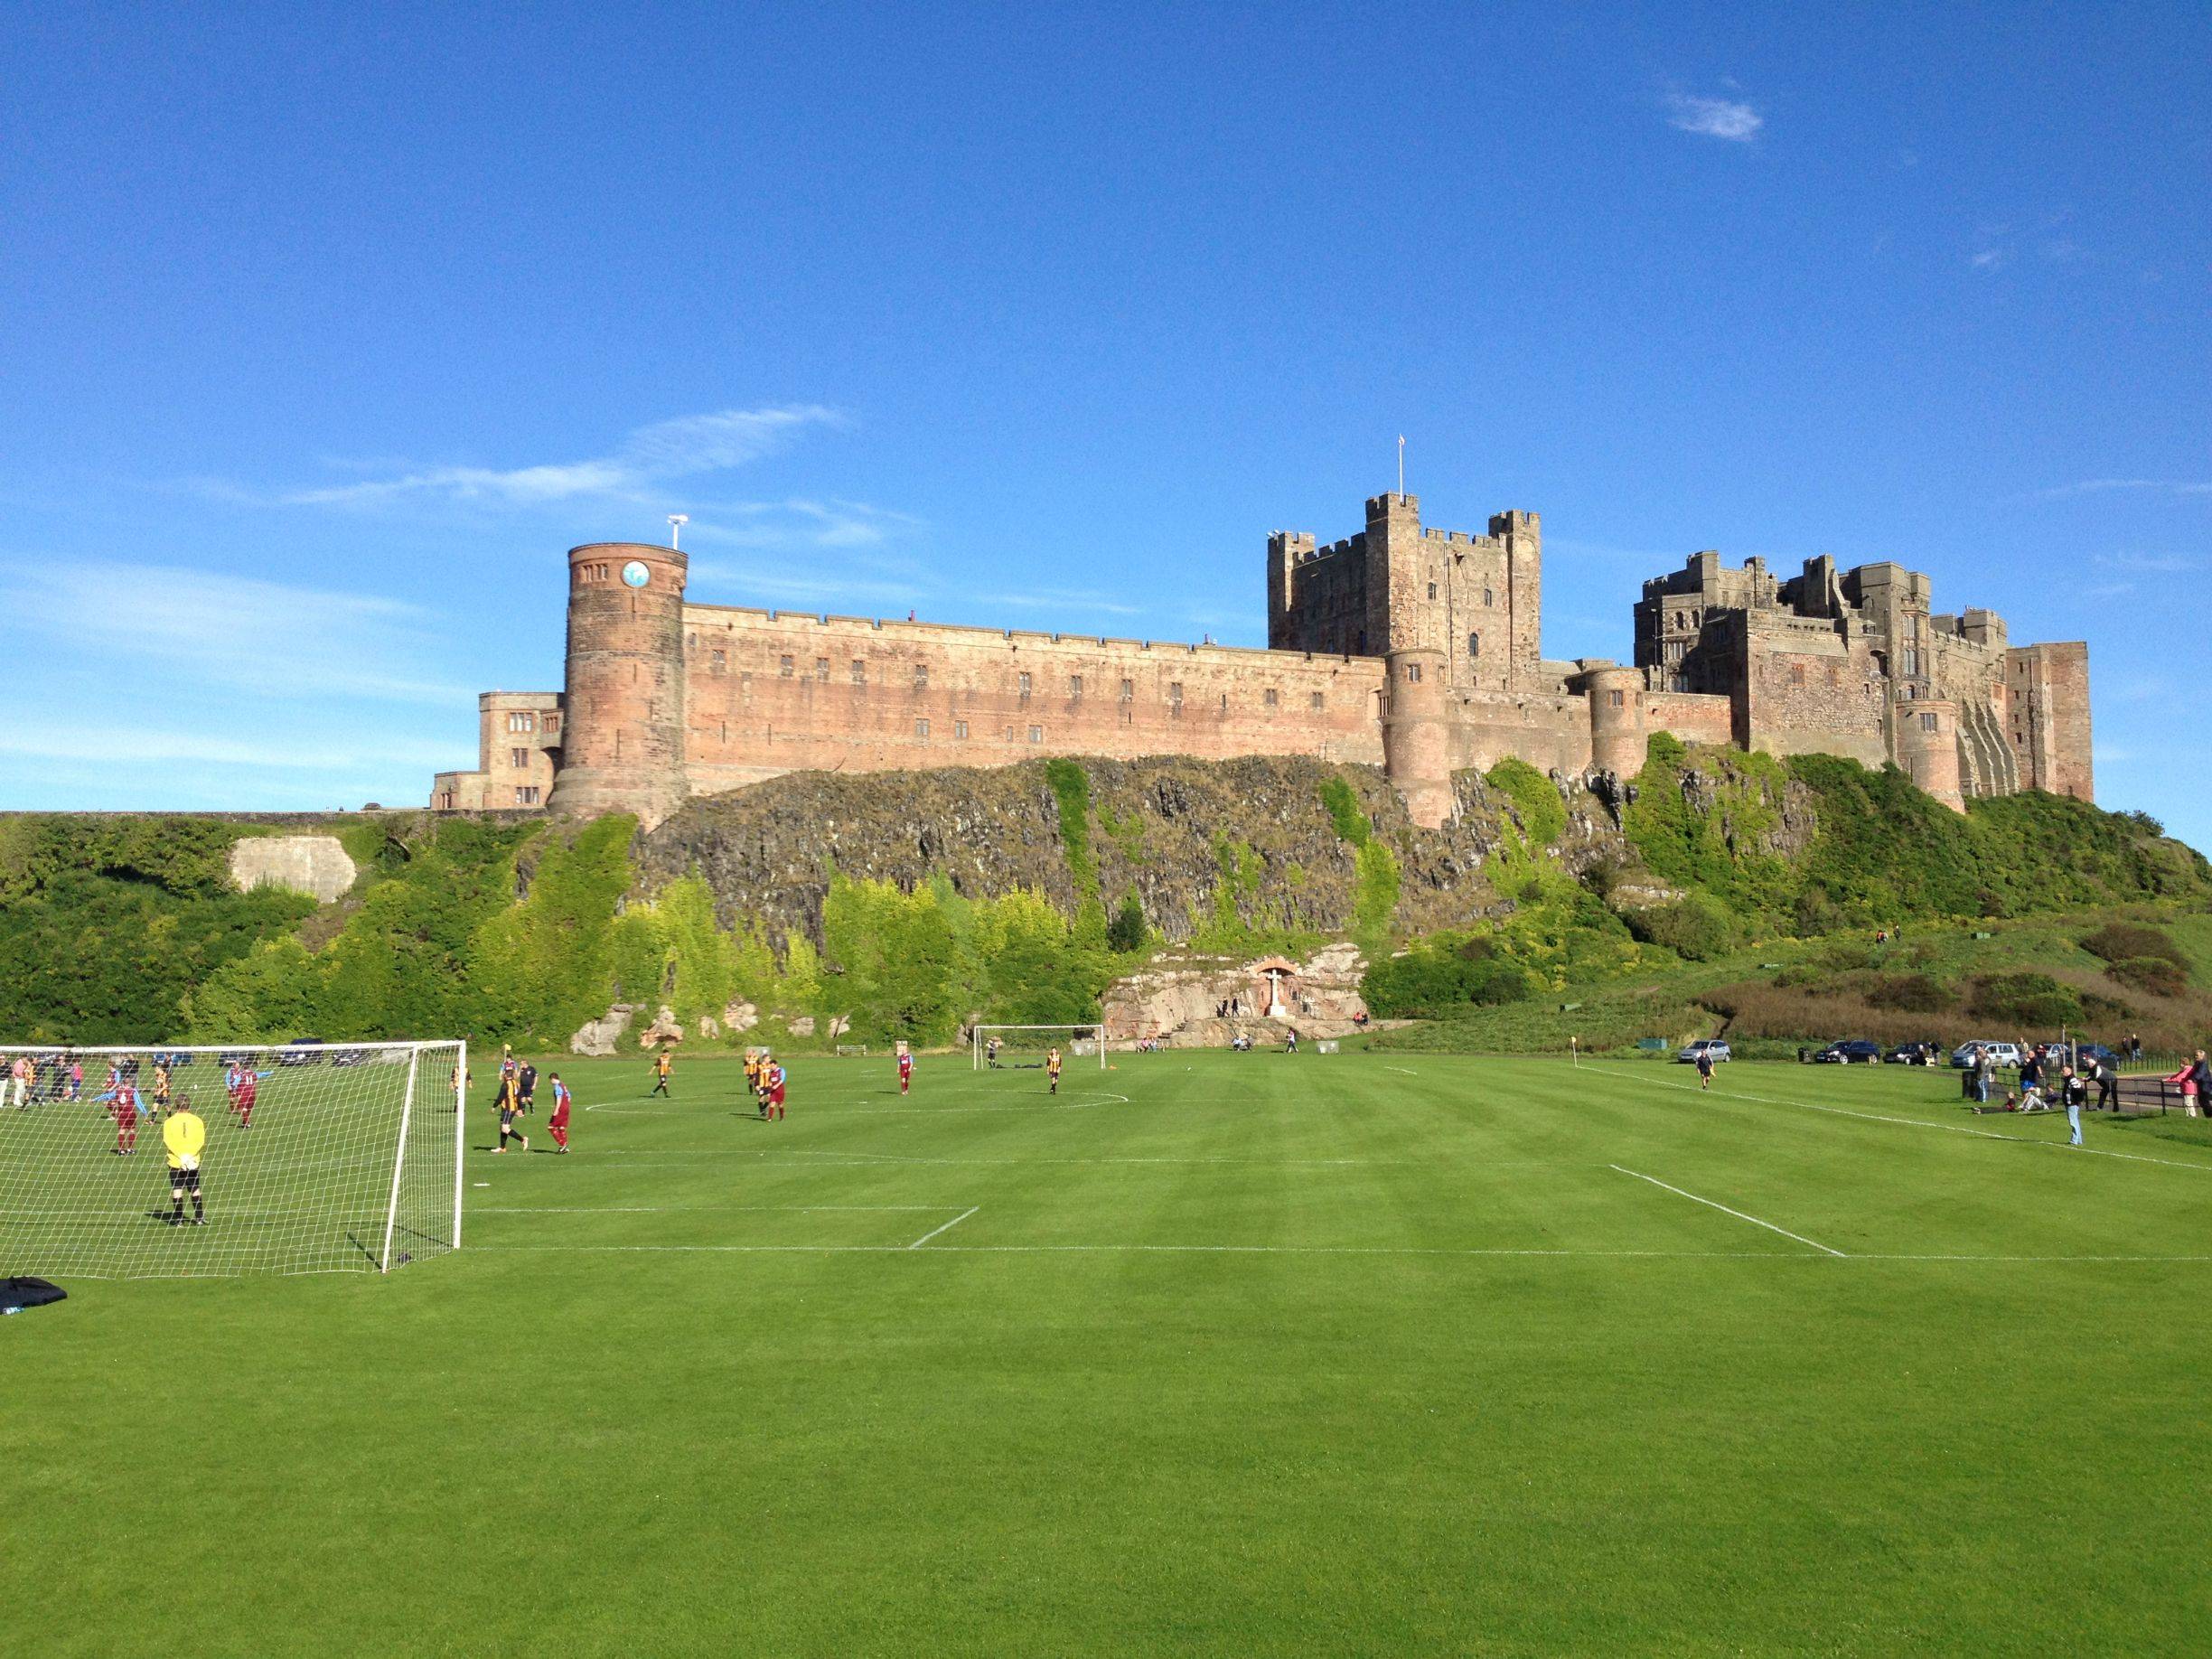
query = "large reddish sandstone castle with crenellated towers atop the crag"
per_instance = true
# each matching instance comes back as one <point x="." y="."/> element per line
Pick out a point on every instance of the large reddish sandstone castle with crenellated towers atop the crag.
<point x="1404" y="647"/>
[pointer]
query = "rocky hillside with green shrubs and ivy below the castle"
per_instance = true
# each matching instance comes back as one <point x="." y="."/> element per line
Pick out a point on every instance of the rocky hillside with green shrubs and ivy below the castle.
<point x="910" y="904"/>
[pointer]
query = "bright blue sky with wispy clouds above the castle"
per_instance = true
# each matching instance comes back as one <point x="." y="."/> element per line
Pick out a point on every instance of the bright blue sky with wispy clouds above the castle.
<point x="326" y="333"/>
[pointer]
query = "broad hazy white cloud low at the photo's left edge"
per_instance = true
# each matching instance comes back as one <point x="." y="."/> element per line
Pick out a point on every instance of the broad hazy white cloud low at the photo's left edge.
<point x="191" y="629"/>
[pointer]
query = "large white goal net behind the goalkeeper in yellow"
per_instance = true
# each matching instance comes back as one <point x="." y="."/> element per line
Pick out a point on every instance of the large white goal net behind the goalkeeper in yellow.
<point x="317" y="1158"/>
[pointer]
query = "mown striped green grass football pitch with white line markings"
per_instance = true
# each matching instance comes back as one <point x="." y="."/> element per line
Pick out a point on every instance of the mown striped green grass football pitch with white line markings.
<point x="1238" y="1355"/>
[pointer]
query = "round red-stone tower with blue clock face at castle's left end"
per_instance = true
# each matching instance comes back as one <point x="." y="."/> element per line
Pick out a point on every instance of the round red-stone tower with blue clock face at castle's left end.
<point x="625" y="705"/>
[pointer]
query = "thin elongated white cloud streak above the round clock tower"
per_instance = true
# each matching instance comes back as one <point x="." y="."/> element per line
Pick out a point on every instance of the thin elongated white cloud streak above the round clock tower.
<point x="658" y="455"/>
